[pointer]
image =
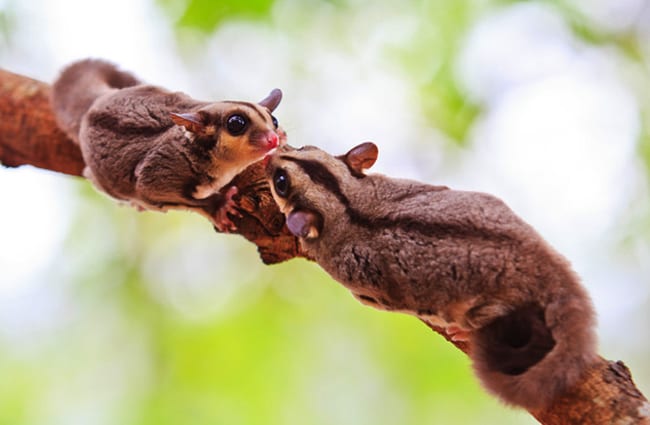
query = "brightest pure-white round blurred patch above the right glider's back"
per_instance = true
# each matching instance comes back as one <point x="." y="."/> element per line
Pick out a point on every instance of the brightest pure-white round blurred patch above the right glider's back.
<point x="563" y="145"/>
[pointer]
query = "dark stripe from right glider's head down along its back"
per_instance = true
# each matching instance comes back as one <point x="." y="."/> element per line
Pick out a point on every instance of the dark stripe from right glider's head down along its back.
<point x="322" y="176"/>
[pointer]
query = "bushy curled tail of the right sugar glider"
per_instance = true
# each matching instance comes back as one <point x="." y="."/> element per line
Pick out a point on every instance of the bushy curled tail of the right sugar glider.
<point x="532" y="355"/>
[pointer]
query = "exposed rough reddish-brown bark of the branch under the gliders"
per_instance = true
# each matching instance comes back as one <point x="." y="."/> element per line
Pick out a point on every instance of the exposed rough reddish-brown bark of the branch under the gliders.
<point x="29" y="136"/>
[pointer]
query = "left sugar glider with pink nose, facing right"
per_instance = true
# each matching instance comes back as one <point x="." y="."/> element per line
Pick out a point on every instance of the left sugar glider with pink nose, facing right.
<point x="155" y="148"/>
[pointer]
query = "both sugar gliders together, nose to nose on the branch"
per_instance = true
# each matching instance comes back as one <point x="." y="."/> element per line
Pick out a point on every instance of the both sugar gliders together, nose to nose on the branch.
<point x="458" y="260"/>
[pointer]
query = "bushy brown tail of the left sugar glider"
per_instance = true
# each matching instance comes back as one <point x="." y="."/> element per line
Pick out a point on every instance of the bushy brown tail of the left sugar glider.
<point x="74" y="92"/>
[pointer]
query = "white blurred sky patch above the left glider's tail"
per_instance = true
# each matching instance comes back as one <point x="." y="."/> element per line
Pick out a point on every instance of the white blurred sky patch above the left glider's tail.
<point x="130" y="33"/>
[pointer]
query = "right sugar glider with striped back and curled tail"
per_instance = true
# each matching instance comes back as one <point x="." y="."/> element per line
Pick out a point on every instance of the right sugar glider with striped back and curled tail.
<point x="459" y="258"/>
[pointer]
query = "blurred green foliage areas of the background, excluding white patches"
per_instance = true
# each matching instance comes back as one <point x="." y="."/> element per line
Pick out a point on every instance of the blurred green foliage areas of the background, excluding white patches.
<point x="235" y="342"/>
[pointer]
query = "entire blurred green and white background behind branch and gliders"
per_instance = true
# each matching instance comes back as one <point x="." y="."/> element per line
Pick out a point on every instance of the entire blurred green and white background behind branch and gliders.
<point x="110" y="316"/>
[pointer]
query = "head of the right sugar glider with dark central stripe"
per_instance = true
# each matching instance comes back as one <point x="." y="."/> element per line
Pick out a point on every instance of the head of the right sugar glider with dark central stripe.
<point x="313" y="188"/>
